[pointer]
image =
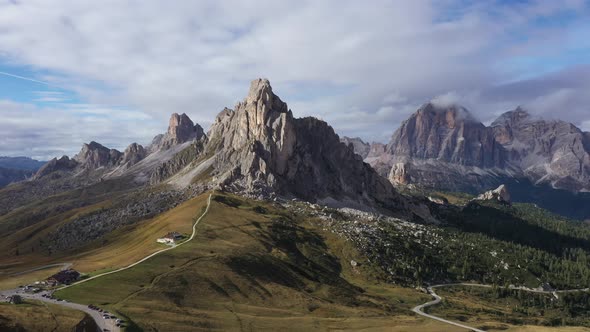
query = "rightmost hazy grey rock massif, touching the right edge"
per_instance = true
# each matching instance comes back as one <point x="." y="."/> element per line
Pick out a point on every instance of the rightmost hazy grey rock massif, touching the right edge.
<point x="547" y="151"/>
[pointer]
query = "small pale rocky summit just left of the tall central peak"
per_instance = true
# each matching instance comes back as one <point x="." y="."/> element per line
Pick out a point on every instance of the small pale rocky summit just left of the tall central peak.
<point x="180" y="129"/>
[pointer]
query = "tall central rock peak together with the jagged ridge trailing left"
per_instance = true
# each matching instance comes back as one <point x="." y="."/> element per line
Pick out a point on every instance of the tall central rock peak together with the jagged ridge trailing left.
<point x="257" y="149"/>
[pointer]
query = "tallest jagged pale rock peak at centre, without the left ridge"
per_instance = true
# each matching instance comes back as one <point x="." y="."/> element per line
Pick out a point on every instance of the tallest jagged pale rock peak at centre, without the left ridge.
<point x="261" y="149"/>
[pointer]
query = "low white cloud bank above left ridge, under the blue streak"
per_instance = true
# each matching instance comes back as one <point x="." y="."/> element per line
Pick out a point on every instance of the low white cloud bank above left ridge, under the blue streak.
<point x="44" y="133"/>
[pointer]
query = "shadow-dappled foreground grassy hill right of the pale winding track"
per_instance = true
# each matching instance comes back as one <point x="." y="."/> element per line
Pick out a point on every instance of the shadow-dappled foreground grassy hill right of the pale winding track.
<point x="255" y="266"/>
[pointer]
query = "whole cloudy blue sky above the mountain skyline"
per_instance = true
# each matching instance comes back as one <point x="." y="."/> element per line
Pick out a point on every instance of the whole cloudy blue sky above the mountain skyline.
<point x="113" y="71"/>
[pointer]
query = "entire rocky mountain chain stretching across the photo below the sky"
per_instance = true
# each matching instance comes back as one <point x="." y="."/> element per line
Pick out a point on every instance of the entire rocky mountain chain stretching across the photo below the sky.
<point x="259" y="149"/>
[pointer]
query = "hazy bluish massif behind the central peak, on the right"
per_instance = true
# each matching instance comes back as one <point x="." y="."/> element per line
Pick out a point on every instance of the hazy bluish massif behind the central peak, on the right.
<point x="446" y="148"/>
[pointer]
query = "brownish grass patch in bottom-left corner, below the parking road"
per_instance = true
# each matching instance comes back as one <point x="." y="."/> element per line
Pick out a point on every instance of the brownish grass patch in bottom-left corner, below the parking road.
<point x="39" y="317"/>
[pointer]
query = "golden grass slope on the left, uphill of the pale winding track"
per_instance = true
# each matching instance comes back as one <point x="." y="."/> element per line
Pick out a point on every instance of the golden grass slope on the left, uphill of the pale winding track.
<point x="116" y="249"/>
